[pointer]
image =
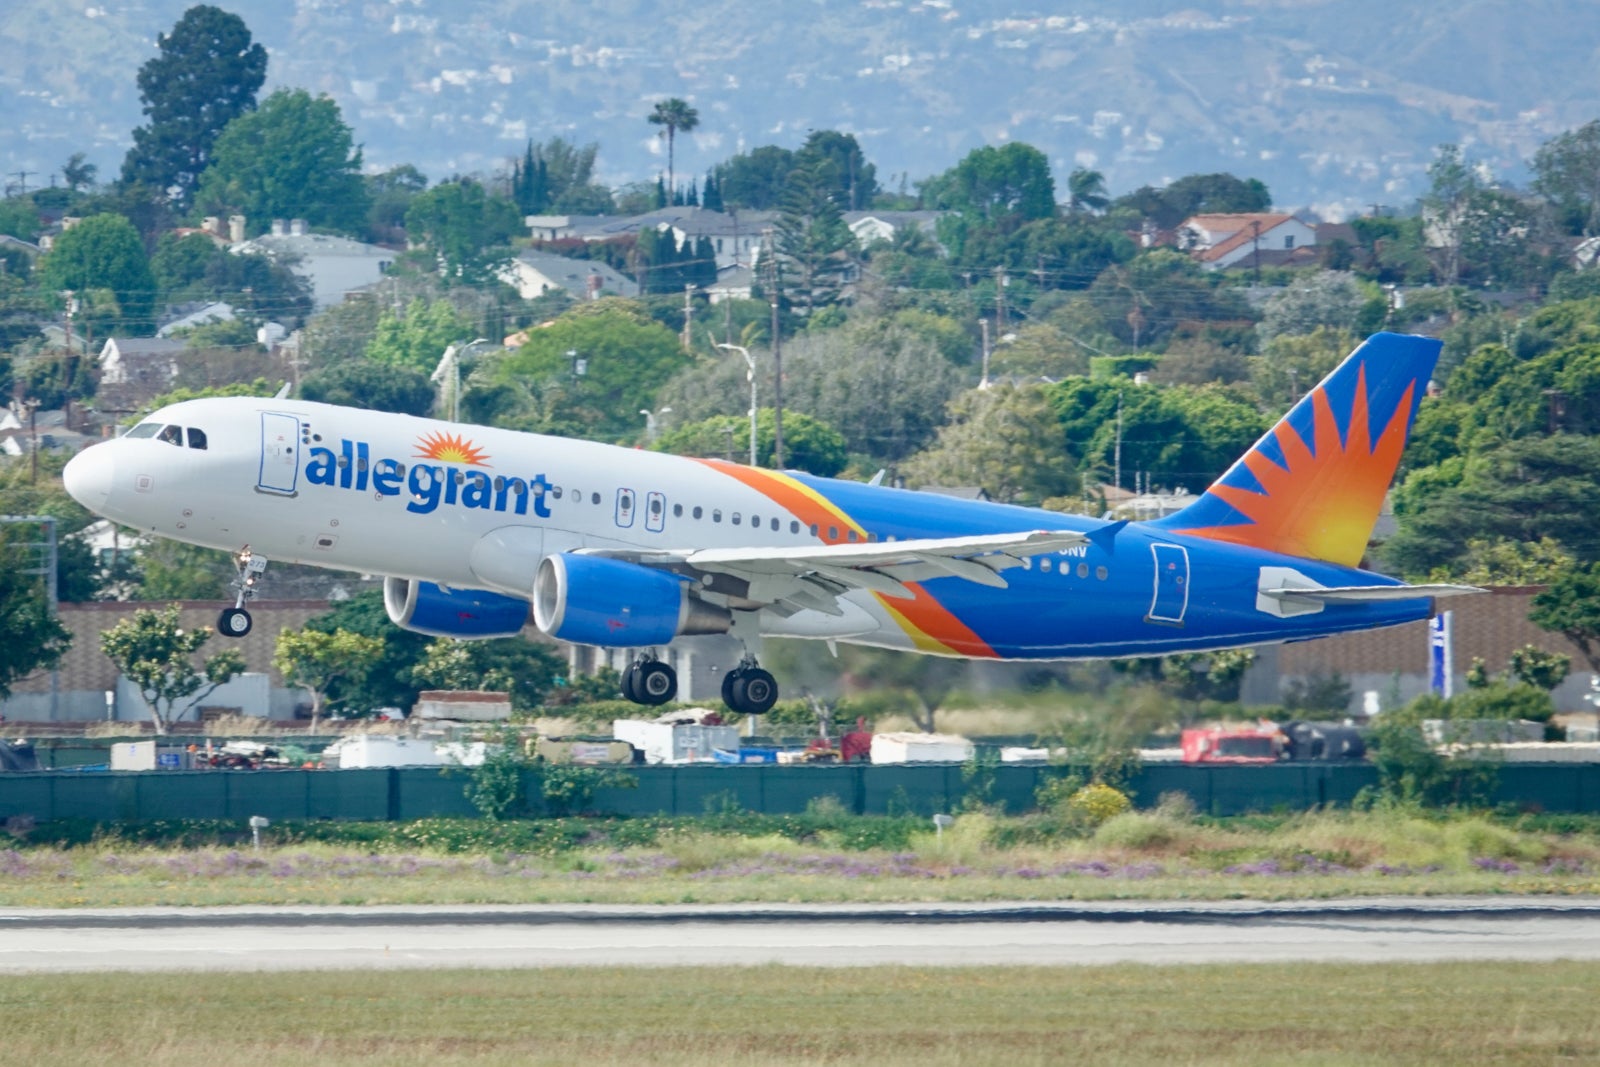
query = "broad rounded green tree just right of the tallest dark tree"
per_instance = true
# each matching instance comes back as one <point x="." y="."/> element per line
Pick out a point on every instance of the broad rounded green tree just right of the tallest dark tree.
<point x="294" y="158"/>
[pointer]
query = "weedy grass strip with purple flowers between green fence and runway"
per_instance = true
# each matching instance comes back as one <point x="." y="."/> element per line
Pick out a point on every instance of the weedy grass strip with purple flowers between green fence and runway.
<point x="1134" y="857"/>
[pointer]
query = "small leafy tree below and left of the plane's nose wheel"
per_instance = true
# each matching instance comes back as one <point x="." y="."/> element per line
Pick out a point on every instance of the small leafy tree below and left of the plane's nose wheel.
<point x="156" y="653"/>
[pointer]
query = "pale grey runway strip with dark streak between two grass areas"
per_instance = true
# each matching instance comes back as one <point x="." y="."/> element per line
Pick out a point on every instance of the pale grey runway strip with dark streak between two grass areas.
<point x="1079" y="933"/>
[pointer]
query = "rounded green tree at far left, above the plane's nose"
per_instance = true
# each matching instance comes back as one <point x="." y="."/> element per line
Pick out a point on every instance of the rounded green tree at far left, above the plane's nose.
<point x="105" y="263"/>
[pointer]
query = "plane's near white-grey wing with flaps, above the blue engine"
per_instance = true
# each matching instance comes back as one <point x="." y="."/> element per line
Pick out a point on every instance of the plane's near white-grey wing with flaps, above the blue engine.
<point x="814" y="577"/>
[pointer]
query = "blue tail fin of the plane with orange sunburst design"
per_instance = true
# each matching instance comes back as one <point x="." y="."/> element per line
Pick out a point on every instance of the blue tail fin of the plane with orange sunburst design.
<point x="1314" y="484"/>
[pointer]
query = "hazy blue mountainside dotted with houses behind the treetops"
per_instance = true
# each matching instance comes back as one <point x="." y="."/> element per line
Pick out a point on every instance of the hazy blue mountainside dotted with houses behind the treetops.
<point x="1332" y="103"/>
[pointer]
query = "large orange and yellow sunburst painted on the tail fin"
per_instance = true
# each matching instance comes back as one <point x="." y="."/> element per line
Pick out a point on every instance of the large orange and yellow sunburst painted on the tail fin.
<point x="1326" y="502"/>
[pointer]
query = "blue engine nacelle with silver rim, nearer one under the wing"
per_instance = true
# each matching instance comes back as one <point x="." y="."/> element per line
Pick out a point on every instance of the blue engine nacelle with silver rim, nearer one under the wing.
<point x="594" y="601"/>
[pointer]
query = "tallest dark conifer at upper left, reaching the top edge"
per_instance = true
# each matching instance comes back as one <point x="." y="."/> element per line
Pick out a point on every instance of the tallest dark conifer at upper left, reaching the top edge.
<point x="206" y="78"/>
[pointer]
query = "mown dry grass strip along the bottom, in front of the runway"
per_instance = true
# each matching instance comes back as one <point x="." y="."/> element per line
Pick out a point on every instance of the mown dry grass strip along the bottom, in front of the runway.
<point x="753" y="1017"/>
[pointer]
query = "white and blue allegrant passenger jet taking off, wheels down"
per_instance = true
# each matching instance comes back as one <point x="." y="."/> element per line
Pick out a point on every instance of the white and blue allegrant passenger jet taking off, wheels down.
<point x="478" y="529"/>
